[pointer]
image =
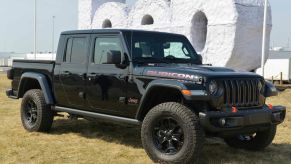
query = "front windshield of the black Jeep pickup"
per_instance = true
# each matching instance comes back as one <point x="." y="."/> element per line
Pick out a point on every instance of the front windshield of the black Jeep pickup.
<point x="162" y="48"/>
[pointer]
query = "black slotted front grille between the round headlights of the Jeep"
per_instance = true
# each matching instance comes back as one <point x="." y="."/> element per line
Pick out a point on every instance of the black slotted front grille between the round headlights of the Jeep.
<point x="241" y="93"/>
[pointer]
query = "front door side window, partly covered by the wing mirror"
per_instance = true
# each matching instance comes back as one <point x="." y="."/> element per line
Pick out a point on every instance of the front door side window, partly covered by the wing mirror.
<point x="105" y="46"/>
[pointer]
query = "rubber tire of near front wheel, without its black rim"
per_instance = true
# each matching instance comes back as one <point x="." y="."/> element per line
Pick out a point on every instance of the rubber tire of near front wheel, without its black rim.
<point x="193" y="134"/>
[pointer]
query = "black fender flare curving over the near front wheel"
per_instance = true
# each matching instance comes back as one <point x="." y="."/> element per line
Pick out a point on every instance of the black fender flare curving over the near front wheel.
<point x="173" y="84"/>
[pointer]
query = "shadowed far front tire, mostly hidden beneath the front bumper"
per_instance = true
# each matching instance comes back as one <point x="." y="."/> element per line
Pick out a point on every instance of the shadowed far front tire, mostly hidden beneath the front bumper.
<point x="260" y="141"/>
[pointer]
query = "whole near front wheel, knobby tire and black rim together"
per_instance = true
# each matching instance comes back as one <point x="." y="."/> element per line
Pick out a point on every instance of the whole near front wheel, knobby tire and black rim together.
<point x="171" y="133"/>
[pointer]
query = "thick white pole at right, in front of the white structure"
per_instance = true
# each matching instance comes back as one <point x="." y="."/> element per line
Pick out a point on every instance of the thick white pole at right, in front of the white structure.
<point x="264" y="38"/>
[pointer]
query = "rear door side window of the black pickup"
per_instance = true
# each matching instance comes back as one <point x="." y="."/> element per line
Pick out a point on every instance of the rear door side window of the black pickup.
<point x="76" y="50"/>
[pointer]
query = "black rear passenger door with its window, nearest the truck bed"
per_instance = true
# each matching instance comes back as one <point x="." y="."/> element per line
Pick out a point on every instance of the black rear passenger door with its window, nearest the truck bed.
<point x="73" y="70"/>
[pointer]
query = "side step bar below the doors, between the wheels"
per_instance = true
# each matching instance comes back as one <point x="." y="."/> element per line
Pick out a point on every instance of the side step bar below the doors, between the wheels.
<point x="104" y="117"/>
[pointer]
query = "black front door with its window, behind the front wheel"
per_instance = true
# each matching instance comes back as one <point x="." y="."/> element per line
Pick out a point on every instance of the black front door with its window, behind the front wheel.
<point x="106" y="84"/>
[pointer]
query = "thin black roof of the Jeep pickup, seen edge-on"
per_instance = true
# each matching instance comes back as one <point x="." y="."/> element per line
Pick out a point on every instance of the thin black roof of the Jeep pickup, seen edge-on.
<point x="110" y="30"/>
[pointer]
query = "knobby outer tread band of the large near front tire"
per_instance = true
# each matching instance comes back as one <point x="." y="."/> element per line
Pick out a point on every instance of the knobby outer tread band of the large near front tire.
<point x="191" y="121"/>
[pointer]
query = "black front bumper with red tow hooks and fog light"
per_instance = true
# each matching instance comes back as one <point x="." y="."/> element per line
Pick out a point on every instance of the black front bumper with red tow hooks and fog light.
<point x="241" y="121"/>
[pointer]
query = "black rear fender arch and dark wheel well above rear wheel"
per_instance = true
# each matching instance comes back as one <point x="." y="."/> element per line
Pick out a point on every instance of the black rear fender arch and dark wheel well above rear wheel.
<point x="31" y="80"/>
